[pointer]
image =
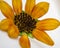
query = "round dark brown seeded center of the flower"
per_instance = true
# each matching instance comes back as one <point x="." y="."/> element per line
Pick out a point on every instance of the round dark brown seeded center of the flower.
<point x="24" y="22"/>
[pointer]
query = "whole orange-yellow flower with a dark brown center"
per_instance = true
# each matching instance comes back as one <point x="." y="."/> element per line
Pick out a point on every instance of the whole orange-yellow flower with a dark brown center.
<point x="26" y="23"/>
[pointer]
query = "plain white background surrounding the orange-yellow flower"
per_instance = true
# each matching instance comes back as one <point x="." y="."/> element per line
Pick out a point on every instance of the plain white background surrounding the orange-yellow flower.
<point x="54" y="12"/>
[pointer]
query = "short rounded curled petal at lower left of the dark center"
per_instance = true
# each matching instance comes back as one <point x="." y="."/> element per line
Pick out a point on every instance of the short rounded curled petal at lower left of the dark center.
<point x="13" y="32"/>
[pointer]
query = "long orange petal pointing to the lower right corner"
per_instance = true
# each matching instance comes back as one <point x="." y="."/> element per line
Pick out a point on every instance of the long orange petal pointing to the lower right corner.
<point x="43" y="37"/>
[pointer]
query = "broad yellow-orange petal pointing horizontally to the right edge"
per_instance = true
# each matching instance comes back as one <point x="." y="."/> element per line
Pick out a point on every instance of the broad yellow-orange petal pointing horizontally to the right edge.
<point x="47" y="24"/>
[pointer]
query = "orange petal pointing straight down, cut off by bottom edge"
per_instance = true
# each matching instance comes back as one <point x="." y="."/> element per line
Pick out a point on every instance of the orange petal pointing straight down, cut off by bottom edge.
<point x="24" y="41"/>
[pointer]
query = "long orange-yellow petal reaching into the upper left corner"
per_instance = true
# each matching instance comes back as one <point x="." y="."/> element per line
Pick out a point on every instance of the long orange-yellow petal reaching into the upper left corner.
<point x="6" y="9"/>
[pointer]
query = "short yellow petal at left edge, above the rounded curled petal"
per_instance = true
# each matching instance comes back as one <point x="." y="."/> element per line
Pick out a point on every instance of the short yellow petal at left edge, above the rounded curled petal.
<point x="5" y="24"/>
